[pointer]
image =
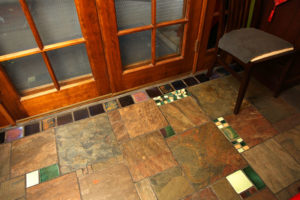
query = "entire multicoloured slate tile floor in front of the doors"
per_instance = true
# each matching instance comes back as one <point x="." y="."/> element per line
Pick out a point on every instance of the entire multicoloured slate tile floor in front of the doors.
<point x="132" y="148"/>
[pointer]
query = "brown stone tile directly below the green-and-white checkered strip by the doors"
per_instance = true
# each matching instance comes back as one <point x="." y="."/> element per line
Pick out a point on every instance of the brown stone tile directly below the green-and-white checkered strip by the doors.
<point x="184" y="114"/>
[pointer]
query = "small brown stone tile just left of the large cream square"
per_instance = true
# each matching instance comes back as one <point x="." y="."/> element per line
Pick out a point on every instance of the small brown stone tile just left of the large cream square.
<point x="224" y="191"/>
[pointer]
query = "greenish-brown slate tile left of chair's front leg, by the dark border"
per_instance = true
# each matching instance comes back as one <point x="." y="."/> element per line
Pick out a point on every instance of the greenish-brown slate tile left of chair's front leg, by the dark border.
<point x="217" y="97"/>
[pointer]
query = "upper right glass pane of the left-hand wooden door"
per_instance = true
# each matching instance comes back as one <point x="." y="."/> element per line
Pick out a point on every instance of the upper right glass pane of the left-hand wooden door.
<point x="56" y="20"/>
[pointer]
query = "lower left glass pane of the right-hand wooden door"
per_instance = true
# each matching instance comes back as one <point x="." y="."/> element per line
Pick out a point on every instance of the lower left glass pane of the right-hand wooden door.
<point x="135" y="47"/>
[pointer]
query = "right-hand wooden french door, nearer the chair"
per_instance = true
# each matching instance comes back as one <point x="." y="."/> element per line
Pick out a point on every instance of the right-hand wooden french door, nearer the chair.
<point x="148" y="40"/>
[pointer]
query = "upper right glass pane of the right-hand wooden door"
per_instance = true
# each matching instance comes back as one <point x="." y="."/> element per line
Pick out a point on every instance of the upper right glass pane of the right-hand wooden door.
<point x="167" y="10"/>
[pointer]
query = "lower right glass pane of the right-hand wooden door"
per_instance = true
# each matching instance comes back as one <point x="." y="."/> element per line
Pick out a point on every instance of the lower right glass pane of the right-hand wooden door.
<point x="169" y="40"/>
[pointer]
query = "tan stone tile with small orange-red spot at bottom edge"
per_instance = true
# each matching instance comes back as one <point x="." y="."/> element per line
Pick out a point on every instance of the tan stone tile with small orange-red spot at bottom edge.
<point x="112" y="183"/>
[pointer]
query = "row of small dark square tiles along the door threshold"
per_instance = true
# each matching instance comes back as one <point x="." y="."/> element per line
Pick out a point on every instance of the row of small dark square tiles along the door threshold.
<point x="36" y="126"/>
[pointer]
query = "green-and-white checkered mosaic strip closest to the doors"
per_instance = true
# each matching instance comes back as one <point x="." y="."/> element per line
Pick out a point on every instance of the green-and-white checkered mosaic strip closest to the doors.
<point x="170" y="97"/>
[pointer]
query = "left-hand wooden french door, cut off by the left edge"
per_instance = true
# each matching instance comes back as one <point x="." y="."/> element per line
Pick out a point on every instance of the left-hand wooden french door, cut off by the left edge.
<point x="51" y="56"/>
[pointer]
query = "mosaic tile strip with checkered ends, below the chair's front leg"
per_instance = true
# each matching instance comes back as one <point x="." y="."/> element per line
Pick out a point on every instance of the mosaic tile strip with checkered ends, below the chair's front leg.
<point x="238" y="143"/>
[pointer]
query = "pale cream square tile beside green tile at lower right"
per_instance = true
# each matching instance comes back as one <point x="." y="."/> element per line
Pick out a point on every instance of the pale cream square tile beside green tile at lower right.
<point x="239" y="181"/>
